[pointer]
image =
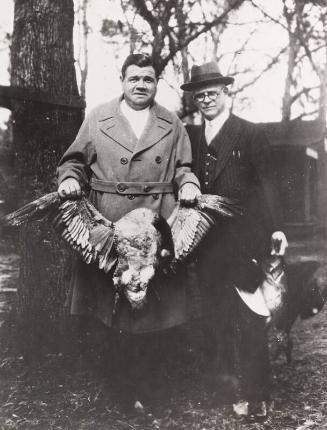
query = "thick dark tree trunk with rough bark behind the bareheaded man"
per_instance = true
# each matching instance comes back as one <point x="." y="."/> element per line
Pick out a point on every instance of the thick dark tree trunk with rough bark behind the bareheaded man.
<point x="42" y="60"/>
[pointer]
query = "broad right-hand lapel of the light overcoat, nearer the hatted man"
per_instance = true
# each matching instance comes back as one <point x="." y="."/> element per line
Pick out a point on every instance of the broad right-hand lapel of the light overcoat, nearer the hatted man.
<point x="159" y="124"/>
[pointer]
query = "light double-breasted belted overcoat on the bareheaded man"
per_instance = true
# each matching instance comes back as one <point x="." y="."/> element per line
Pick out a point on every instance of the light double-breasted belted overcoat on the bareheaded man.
<point x="124" y="173"/>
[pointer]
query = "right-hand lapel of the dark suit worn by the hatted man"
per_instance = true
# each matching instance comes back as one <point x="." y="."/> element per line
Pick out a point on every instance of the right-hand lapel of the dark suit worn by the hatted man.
<point x="225" y="142"/>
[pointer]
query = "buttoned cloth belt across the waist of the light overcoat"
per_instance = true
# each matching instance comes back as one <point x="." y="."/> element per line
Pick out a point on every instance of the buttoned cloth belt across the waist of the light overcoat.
<point x="131" y="187"/>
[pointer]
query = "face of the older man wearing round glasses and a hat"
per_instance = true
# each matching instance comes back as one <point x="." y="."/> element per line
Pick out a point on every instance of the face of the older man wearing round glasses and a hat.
<point x="210" y="100"/>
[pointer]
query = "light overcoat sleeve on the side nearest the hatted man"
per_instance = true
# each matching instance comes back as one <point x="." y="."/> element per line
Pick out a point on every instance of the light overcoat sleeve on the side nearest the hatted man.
<point x="183" y="160"/>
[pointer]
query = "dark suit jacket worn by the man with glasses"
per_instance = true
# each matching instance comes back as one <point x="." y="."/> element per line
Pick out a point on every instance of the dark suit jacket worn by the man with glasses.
<point x="240" y="169"/>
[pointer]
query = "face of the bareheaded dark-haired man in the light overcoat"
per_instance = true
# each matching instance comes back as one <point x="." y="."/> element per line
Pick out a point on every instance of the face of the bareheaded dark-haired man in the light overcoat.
<point x="139" y="86"/>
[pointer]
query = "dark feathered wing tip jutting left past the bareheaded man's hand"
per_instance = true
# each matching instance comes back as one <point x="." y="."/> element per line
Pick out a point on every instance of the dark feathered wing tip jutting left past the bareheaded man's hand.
<point x="33" y="211"/>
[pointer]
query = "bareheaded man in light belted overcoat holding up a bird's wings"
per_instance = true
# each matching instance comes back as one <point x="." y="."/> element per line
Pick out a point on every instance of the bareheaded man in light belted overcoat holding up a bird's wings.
<point x="130" y="153"/>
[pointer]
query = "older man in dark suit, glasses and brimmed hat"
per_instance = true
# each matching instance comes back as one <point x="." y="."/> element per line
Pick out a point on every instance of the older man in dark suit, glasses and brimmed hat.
<point x="231" y="158"/>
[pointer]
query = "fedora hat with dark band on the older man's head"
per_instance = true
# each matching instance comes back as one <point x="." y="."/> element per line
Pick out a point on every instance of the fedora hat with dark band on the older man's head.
<point x="207" y="73"/>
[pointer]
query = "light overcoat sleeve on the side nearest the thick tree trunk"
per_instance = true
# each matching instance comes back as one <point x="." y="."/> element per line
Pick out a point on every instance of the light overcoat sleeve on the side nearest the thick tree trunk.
<point x="75" y="163"/>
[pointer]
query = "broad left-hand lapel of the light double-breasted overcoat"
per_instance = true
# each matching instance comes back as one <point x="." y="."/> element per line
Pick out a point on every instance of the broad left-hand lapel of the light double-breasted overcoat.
<point x="116" y="126"/>
